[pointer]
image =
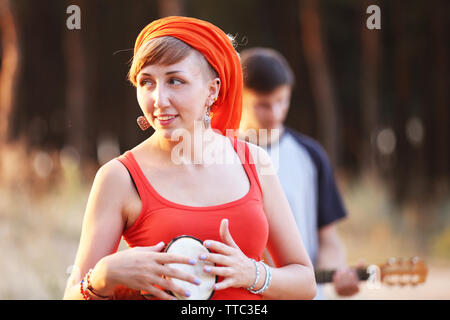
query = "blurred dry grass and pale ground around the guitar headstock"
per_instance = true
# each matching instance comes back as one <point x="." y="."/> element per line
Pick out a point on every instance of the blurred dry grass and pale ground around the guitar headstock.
<point x="377" y="229"/>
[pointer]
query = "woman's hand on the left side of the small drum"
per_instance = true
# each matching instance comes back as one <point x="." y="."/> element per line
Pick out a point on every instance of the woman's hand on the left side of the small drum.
<point x="141" y="268"/>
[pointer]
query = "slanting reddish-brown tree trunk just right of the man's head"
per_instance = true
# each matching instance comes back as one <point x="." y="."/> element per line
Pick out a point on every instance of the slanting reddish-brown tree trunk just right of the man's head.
<point x="322" y="85"/>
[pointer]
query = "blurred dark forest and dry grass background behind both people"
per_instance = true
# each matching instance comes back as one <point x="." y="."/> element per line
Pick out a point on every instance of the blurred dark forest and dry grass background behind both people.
<point x="378" y="101"/>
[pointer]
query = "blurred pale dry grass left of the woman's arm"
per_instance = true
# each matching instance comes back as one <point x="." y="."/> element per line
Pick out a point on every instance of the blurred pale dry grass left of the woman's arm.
<point x="39" y="230"/>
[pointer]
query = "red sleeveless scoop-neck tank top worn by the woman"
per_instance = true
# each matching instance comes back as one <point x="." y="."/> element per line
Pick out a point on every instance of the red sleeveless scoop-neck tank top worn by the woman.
<point x="163" y="220"/>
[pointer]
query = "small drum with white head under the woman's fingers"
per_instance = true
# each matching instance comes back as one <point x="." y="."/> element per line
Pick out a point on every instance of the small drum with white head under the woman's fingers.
<point x="192" y="248"/>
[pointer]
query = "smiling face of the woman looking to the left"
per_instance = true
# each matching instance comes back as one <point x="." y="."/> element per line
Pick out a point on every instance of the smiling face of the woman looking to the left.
<point x="174" y="96"/>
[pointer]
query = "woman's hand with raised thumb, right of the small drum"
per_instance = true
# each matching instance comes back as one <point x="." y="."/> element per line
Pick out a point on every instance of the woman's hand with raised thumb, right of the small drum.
<point x="236" y="268"/>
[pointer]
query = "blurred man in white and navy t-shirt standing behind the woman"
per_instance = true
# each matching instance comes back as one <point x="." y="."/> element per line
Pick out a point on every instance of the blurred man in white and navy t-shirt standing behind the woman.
<point x="303" y="166"/>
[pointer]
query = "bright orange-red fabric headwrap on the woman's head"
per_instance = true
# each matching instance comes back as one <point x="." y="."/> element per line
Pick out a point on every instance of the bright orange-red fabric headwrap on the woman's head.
<point x="217" y="48"/>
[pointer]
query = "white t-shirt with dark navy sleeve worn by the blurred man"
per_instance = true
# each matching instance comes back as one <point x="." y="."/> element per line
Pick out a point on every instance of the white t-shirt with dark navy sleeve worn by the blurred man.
<point x="308" y="182"/>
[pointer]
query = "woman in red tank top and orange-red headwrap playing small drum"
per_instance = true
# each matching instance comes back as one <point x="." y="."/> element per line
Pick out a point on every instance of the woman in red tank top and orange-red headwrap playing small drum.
<point x="187" y="72"/>
